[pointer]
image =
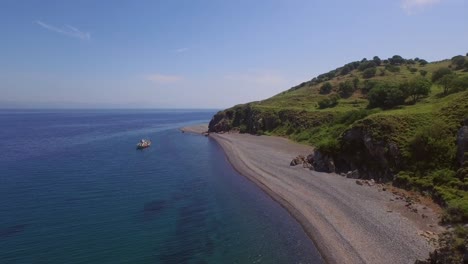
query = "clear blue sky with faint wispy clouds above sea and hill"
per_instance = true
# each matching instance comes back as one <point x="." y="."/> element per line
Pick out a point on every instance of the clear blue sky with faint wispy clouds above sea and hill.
<point x="204" y="53"/>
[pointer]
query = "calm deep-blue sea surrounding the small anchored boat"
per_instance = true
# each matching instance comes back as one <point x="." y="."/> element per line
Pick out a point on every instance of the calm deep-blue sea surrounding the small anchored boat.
<point x="73" y="189"/>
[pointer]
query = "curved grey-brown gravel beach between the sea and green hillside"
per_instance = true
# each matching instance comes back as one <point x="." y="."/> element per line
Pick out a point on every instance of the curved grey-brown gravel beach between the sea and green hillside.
<point x="348" y="223"/>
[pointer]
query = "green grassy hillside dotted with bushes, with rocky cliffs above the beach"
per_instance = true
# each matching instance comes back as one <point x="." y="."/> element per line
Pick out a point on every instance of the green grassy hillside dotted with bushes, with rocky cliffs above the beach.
<point x="393" y="120"/>
